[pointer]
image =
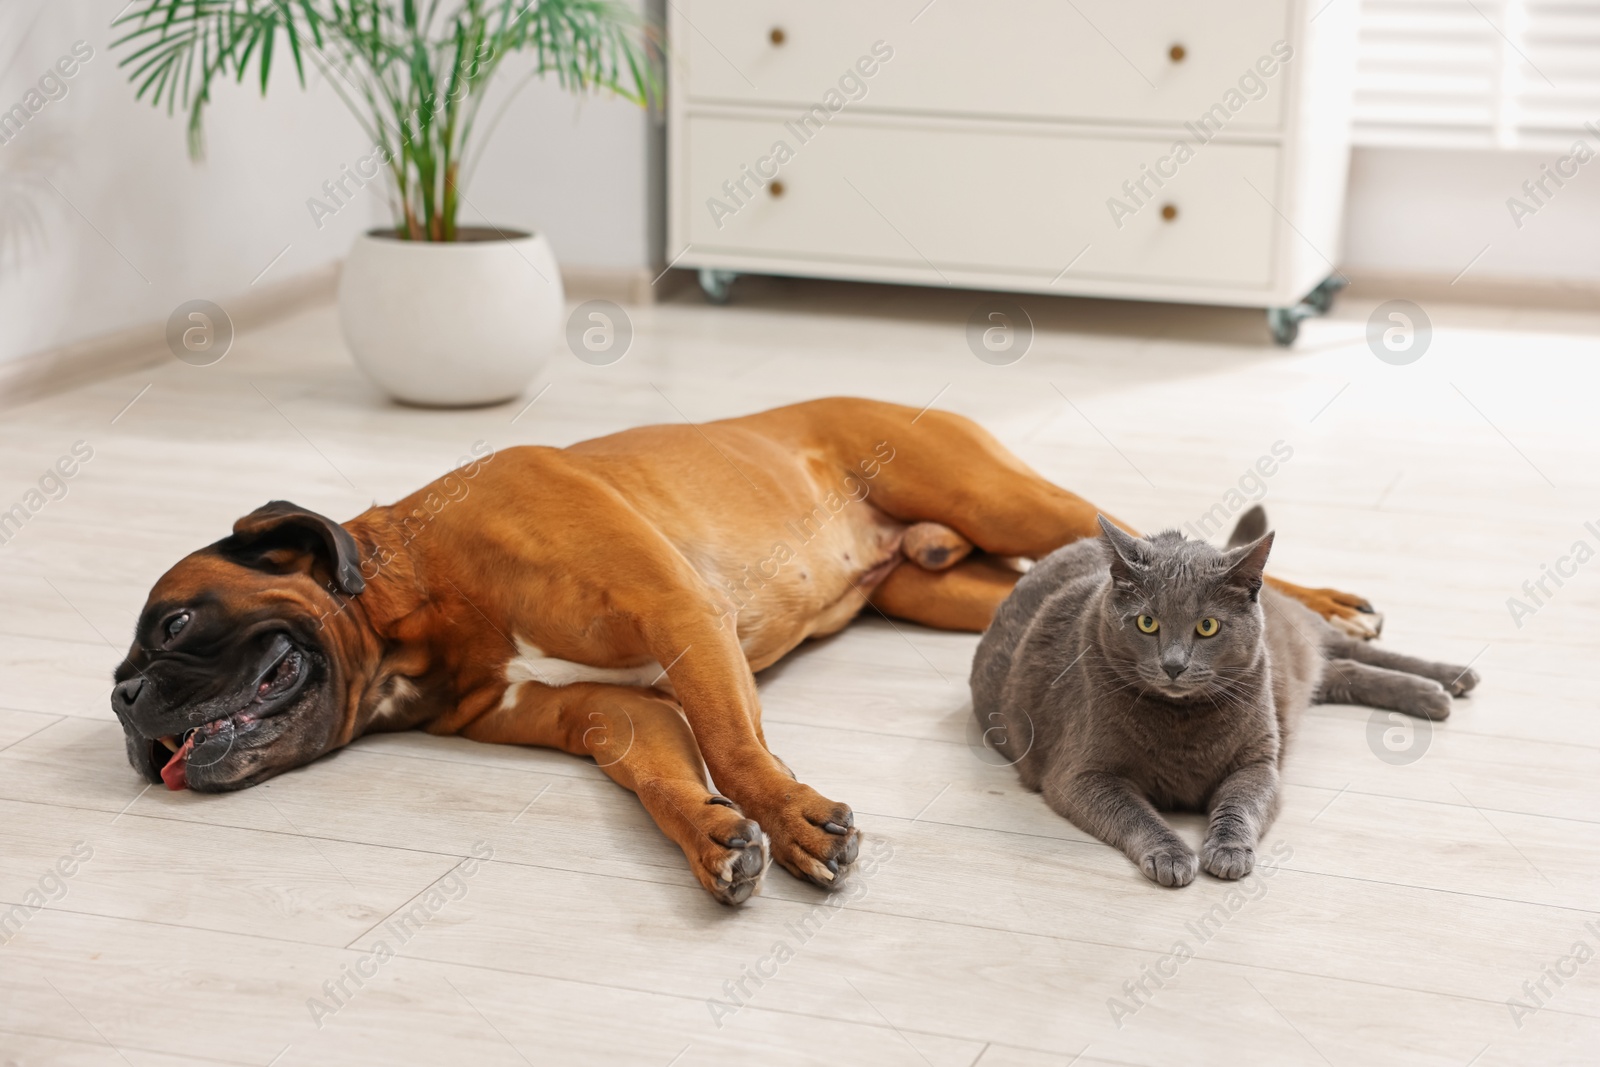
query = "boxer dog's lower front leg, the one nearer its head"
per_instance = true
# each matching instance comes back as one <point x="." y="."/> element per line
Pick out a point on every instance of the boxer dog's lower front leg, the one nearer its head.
<point x="641" y="740"/>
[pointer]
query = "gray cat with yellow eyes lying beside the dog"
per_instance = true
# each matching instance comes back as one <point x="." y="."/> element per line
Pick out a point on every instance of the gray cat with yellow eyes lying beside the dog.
<point x="1127" y="676"/>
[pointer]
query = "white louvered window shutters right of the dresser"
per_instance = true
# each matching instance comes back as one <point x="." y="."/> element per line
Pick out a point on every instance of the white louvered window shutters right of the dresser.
<point x="1513" y="74"/>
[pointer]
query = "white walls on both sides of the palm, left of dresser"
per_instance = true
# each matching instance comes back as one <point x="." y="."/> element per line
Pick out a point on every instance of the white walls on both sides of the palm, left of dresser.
<point x="580" y="170"/>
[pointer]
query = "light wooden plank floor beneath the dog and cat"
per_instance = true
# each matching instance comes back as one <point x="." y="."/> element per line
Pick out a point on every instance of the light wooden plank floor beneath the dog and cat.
<point x="1409" y="905"/>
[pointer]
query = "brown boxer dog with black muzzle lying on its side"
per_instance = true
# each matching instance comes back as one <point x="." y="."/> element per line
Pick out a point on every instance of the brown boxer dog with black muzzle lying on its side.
<point x="612" y="599"/>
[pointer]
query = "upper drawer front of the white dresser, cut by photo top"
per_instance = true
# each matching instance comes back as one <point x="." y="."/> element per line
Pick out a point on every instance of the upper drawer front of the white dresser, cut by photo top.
<point x="1089" y="60"/>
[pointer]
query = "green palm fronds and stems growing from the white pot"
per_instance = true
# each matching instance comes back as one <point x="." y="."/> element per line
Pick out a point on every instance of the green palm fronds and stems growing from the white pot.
<point x="412" y="71"/>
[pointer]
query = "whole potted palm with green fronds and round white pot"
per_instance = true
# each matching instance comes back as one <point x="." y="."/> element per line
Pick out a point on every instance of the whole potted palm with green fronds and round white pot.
<point x="434" y="311"/>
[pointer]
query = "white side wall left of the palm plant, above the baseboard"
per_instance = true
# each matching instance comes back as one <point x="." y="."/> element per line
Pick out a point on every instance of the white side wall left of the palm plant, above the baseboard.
<point x="137" y="230"/>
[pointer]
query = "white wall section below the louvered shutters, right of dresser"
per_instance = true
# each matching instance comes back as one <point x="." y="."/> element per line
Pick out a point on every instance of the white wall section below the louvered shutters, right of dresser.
<point x="1430" y="212"/>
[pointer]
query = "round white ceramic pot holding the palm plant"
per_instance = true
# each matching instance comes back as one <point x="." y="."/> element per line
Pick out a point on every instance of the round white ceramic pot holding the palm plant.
<point x="458" y="324"/>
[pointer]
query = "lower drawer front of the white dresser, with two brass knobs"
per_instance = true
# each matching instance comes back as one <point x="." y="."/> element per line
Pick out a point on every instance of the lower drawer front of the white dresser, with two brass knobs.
<point x="1018" y="204"/>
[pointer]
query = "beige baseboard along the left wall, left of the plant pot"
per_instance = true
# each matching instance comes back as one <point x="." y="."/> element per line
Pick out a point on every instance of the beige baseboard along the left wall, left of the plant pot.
<point x="145" y="345"/>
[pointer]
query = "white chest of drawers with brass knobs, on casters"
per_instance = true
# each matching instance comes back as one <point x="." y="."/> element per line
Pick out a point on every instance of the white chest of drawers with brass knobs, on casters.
<point x="1185" y="151"/>
